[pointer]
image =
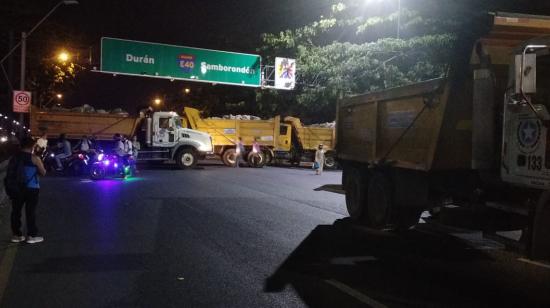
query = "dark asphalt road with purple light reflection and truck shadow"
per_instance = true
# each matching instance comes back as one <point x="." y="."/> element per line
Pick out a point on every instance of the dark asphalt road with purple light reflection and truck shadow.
<point x="222" y="237"/>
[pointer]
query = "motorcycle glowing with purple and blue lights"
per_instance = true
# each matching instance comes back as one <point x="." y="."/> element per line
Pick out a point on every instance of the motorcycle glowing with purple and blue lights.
<point x="111" y="165"/>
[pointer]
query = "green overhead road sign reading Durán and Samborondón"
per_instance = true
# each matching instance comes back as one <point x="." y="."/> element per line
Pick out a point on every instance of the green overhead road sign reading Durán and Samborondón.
<point x="178" y="62"/>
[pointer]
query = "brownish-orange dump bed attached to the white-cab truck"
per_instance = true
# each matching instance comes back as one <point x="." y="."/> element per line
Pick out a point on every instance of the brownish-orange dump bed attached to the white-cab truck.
<point x="76" y="124"/>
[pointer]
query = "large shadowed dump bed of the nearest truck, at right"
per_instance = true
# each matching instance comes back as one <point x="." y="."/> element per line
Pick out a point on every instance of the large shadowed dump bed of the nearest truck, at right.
<point x="405" y="127"/>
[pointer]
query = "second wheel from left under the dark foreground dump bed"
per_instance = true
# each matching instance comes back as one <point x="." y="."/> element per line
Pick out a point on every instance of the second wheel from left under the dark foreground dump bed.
<point x="380" y="201"/>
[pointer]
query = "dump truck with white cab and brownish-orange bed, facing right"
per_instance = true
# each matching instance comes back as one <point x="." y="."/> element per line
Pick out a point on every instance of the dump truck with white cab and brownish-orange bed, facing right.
<point x="161" y="134"/>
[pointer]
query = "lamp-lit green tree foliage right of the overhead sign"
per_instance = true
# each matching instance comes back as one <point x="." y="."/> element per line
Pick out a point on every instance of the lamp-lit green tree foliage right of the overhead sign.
<point x="351" y="52"/>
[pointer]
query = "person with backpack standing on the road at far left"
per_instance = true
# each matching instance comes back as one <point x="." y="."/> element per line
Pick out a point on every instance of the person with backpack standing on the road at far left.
<point x="22" y="186"/>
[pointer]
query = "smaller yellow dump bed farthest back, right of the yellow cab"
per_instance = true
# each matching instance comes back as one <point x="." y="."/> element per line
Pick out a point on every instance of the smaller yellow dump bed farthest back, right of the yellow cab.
<point x="310" y="137"/>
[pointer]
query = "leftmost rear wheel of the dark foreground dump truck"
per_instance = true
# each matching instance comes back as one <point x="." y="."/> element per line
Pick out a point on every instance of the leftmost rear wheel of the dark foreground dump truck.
<point x="356" y="193"/>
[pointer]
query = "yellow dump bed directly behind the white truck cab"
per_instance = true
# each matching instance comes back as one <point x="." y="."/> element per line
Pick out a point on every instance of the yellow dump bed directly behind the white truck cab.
<point x="225" y="132"/>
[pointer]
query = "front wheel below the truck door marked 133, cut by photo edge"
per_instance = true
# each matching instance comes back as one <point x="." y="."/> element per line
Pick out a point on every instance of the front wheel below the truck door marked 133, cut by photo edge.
<point x="540" y="243"/>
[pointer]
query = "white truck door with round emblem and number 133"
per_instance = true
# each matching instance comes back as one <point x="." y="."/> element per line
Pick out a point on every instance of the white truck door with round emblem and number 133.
<point x="526" y="153"/>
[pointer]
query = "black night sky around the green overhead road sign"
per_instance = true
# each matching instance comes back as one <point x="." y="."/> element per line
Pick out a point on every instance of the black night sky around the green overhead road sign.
<point x="223" y="25"/>
